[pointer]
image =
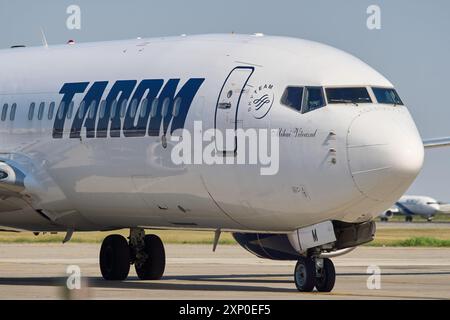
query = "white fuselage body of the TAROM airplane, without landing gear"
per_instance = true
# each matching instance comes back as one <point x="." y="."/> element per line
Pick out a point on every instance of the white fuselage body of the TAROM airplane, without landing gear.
<point x="350" y="163"/>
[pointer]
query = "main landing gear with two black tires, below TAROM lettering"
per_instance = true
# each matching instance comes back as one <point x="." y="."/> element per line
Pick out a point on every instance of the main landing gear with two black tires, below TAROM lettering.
<point x="146" y="252"/>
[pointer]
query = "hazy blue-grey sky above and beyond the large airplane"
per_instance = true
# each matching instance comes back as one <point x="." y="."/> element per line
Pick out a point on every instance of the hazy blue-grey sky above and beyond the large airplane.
<point x="412" y="48"/>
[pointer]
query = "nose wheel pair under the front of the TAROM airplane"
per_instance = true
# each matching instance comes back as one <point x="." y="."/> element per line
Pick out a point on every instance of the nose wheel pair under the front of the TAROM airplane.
<point x="313" y="272"/>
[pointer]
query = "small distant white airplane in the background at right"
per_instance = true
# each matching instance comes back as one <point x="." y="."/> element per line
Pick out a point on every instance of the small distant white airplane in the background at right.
<point x="410" y="206"/>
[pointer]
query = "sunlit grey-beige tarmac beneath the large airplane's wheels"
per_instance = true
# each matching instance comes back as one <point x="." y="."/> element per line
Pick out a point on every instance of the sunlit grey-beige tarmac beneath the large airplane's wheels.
<point x="38" y="271"/>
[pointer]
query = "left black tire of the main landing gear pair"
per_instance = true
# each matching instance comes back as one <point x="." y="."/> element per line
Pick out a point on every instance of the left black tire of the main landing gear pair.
<point x="115" y="258"/>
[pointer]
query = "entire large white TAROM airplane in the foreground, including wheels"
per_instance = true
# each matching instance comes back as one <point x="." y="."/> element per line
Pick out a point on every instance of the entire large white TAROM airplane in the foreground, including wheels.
<point x="88" y="131"/>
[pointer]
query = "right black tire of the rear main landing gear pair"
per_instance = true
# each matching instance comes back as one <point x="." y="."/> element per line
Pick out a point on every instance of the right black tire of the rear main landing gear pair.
<point x="153" y="266"/>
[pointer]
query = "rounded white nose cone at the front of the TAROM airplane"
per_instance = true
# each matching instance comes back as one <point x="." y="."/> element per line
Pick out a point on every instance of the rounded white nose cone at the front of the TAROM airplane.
<point x="385" y="153"/>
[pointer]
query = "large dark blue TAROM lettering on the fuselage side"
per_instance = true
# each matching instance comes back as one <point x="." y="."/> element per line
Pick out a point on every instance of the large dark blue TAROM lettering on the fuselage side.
<point x="152" y="107"/>
